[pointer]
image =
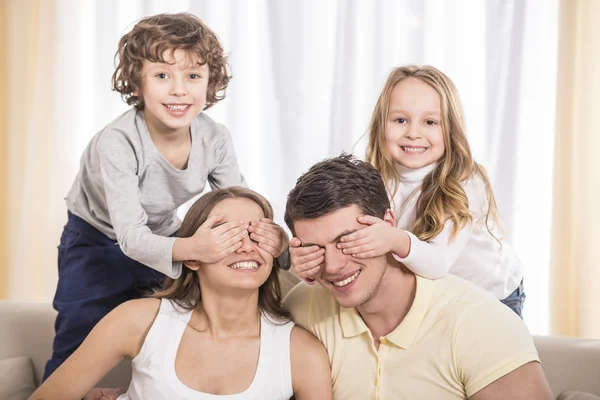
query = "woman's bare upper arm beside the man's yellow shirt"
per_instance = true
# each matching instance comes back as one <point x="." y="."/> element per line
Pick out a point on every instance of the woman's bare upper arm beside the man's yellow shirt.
<point x="311" y="372"/>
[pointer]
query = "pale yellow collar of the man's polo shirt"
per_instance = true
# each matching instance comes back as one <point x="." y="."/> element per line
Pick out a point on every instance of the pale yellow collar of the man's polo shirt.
<point x="353" y="324"/>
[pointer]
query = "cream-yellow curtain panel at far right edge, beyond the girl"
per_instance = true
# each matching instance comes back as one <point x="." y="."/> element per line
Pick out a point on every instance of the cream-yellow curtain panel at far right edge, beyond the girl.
<point x="576" y="217"/>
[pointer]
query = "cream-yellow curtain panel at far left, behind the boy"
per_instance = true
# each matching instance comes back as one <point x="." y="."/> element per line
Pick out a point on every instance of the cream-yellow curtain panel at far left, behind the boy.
<point x="31" y="157"/>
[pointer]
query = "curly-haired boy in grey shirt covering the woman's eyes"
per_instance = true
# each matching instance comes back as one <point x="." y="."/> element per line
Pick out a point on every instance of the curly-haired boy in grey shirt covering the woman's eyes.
<point x="134" y="174"/>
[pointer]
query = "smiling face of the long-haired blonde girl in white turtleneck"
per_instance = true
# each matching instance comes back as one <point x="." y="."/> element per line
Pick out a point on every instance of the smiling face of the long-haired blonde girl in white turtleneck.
<point x="413" y="130"/>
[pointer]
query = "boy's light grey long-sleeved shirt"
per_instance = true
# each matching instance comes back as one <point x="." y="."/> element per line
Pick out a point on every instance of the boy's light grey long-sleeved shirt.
<point x="128" y="190"/>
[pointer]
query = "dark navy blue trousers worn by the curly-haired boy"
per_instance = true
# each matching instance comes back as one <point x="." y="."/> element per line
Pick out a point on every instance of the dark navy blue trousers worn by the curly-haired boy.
<point x="94" y="277"/>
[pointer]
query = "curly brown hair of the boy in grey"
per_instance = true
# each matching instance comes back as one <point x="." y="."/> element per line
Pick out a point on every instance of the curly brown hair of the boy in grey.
<point x="151" y="37"/>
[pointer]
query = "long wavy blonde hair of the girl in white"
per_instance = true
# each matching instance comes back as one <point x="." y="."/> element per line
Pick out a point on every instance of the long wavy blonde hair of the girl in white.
<point x="442" y="194"/>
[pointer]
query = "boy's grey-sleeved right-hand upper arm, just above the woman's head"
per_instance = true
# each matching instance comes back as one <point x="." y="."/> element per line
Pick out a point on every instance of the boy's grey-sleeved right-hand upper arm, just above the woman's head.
<point x="226" y="171"/>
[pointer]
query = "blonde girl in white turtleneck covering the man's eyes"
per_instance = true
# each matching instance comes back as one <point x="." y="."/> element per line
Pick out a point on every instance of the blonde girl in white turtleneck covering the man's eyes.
<point x="446" y="216"/>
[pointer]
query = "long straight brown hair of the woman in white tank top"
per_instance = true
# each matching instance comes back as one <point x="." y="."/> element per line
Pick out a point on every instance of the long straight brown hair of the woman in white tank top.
<point x="185" y="290"/>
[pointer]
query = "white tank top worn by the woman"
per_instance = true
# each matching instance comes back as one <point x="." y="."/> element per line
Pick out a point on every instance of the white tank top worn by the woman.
<point x="153" y="369"/>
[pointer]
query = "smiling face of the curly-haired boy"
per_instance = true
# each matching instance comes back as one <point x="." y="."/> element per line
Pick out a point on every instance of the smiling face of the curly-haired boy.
<point x="174" y="92"/>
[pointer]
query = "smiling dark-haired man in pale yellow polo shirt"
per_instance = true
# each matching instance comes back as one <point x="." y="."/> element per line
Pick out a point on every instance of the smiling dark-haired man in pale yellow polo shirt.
<point x="391" y="334"/>
